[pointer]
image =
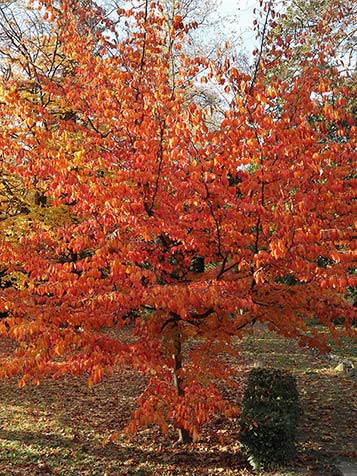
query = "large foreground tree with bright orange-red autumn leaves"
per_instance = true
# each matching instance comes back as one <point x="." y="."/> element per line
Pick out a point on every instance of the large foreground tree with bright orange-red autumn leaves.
<point x="151" y="191"/>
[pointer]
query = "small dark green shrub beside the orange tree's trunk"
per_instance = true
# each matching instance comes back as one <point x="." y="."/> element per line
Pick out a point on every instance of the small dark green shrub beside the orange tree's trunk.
<point x="268" y="418"/>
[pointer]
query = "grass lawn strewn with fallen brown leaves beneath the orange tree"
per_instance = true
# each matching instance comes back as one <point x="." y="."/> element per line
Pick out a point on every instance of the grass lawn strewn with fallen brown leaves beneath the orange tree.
<point x="60" y="427"/>
